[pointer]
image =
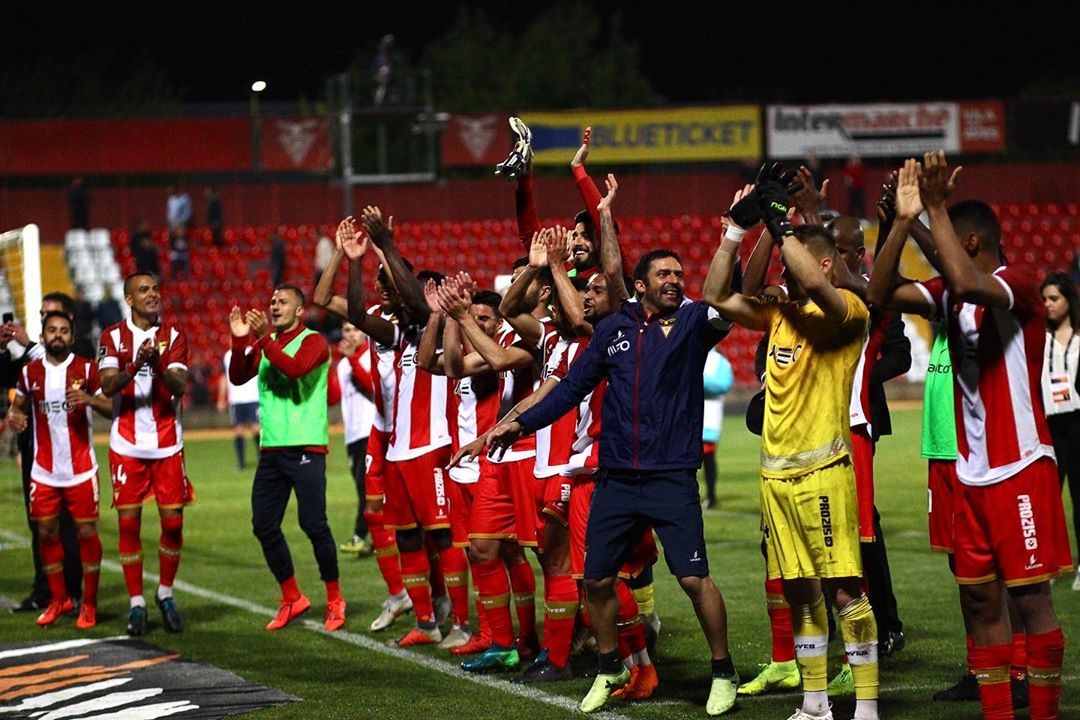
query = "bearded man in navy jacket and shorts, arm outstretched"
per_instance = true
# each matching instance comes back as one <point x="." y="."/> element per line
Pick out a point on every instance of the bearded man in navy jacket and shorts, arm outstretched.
<point x="653" y="354"/>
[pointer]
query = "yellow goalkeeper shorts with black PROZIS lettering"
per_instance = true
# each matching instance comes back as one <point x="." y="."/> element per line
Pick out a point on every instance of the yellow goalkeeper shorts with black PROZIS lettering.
<point x="812" y="524"/>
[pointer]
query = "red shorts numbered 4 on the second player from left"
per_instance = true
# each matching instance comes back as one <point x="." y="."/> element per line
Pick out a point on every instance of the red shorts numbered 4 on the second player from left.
<point x="136" y="480"/>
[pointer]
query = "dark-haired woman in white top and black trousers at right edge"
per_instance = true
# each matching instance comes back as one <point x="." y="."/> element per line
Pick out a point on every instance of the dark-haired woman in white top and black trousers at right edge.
<point x="1061" y="395"/>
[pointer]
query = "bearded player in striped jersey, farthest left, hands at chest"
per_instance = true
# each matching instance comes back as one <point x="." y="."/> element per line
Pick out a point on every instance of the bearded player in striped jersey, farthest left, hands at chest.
<point x="61" y="389"/>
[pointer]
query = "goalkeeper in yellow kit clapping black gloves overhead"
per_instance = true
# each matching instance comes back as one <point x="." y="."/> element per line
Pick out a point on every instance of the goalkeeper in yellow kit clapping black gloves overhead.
<point x="809" y="511"/>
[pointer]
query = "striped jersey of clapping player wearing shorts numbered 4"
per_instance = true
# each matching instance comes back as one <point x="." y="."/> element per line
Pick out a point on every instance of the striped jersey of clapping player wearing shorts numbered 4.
<point x="146" y="417"/>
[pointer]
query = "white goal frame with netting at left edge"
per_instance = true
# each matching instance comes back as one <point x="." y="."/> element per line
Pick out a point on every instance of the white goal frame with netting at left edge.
<point x="21" y="277"/>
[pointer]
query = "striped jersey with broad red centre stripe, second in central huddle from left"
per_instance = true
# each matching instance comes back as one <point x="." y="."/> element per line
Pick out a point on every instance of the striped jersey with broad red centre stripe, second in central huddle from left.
<point x="421" y="405"/>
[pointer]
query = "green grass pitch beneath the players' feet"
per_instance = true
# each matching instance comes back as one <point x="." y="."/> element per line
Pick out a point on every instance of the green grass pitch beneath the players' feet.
<point x="352" y="676"/>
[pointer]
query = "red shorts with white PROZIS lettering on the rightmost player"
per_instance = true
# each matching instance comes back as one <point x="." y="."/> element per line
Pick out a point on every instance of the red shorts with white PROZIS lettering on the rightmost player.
<point x="1015" y="529"/>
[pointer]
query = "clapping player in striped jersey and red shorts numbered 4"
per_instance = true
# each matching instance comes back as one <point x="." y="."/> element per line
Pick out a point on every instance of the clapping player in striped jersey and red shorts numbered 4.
<point x="144" y="366"/>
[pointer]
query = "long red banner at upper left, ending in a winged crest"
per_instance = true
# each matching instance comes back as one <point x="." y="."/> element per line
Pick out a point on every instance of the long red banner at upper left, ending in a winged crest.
<point x="89" y="147"/>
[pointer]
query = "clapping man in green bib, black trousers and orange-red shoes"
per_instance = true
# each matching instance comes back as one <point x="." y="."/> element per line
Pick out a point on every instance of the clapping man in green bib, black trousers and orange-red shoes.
<point x="292" y="364"/>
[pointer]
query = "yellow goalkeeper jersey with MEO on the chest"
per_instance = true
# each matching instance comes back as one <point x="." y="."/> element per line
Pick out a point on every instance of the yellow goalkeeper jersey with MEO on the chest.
<point x="809" y="373"/>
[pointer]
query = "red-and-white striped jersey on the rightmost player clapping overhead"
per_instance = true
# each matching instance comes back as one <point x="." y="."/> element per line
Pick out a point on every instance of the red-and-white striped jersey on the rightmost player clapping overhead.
<point x="997" y="369"/>
